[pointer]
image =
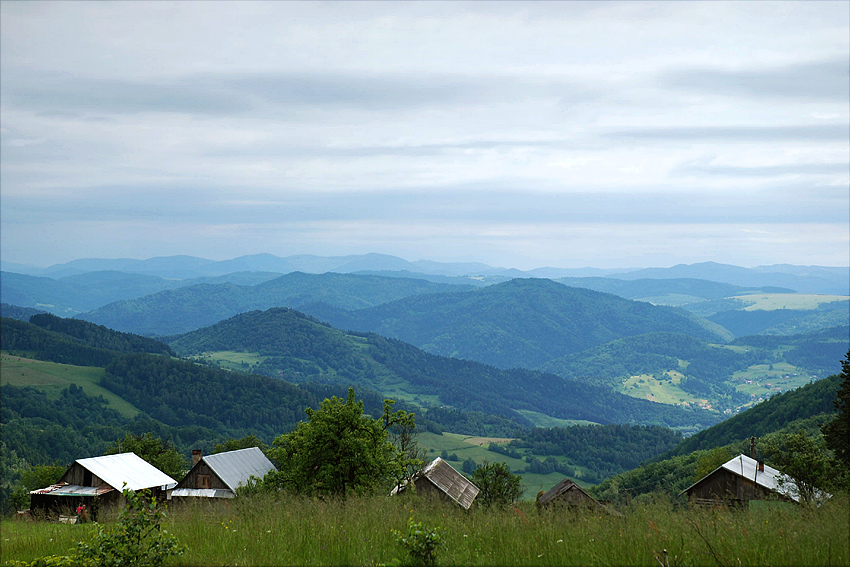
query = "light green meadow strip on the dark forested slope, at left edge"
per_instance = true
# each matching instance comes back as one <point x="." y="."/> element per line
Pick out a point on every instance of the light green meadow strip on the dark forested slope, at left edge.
<point x="52" y="378"/>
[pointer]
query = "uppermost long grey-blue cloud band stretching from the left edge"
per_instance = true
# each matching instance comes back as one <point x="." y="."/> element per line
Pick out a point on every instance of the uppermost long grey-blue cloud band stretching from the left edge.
<point x="63" y="93"/>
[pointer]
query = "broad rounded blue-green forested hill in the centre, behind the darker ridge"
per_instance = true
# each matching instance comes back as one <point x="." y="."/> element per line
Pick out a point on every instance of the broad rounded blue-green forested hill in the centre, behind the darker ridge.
<point x="518" y="323"/>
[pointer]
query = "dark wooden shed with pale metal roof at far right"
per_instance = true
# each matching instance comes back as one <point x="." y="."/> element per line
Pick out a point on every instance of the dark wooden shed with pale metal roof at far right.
<point x="739" y="480"/>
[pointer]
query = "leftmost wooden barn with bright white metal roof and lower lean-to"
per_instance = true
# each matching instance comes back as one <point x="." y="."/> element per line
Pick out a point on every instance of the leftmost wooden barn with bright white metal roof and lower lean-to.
<point x="97" y="483"/>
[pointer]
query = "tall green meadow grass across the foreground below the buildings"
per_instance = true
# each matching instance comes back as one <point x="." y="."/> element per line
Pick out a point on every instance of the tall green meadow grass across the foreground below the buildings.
<point x="292" y="530"/>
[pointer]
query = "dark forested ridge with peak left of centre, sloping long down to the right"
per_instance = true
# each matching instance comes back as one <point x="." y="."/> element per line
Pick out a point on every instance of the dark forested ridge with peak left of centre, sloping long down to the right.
<point x="290" y="345"/>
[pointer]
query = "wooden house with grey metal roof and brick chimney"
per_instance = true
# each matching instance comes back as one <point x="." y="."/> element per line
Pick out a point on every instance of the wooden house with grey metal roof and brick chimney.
<point x="219" y="475"/>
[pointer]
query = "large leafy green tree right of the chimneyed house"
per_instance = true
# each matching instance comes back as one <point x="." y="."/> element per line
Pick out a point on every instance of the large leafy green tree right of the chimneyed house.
<point x="338" y="451"/>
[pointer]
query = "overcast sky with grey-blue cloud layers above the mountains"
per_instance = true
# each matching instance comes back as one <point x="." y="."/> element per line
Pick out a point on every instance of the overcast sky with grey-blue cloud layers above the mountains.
<point x="518" y="134"/>
